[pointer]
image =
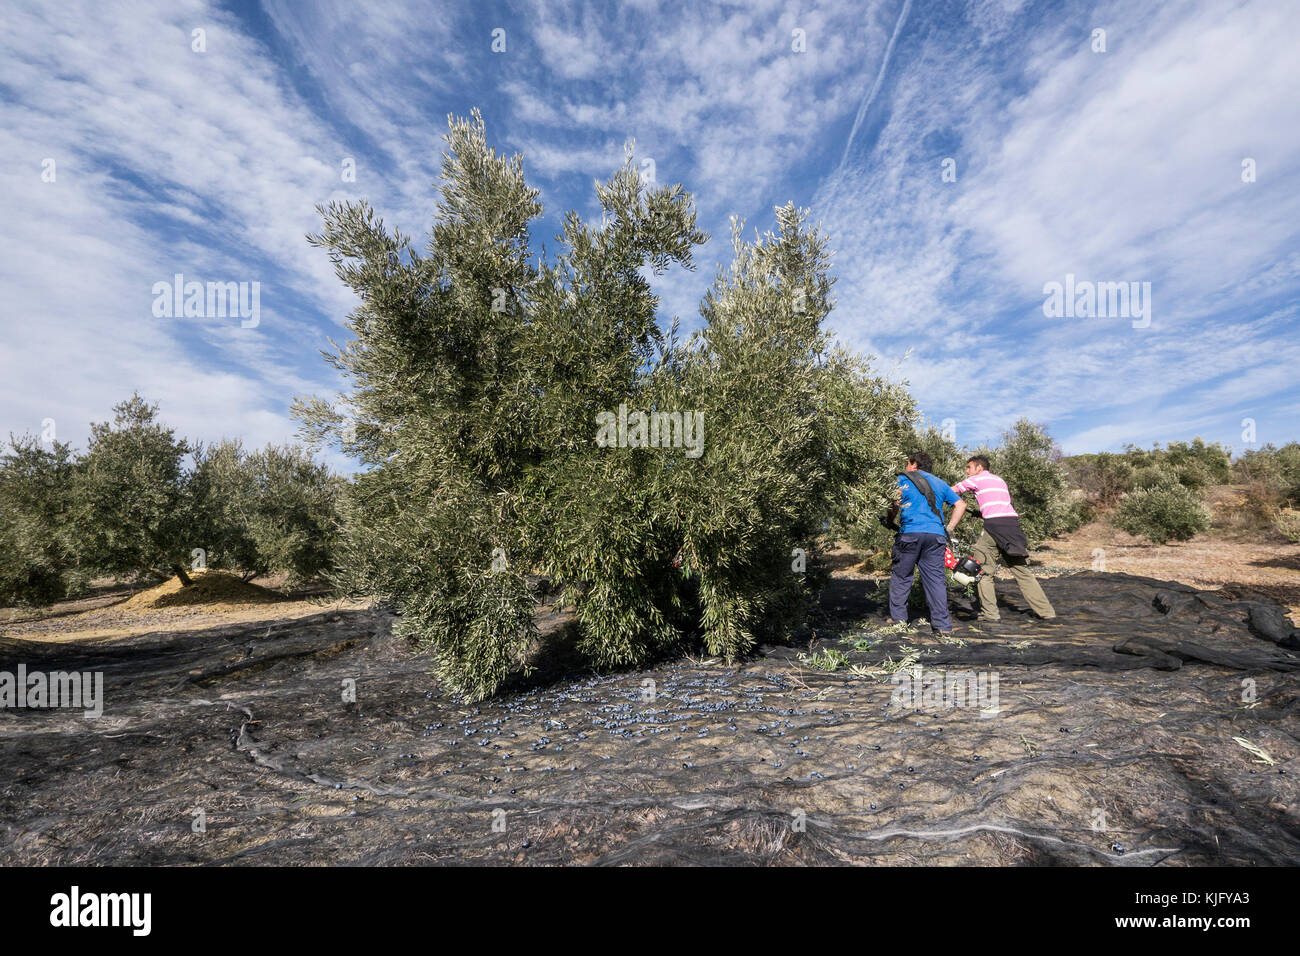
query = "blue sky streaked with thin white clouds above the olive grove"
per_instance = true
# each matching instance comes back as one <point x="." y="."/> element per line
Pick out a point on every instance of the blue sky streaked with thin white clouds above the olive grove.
<point x="1124" y="166"/>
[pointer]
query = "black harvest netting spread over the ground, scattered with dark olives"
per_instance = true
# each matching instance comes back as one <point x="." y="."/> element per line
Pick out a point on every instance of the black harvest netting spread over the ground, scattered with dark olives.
<point x="1112" y="742"/>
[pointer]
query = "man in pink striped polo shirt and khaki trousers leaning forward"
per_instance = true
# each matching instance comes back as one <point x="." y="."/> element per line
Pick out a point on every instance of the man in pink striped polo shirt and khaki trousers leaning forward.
<point x="1003" y="539"/>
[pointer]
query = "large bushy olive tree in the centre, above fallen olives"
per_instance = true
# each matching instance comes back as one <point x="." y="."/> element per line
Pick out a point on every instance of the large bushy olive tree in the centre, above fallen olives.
<point x="515" y="417"/>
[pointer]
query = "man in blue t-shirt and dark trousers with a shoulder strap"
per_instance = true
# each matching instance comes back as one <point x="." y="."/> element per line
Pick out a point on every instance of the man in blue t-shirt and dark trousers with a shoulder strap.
<point x="921" y="542"/>
